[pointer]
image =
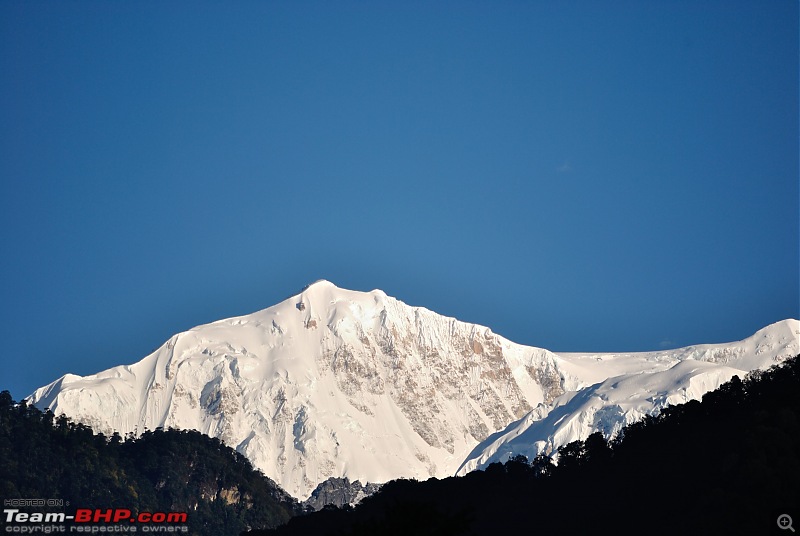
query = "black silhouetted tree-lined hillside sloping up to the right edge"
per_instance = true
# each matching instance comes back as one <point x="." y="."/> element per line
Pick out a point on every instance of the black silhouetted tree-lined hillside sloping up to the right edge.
<point x="727" y="465"/>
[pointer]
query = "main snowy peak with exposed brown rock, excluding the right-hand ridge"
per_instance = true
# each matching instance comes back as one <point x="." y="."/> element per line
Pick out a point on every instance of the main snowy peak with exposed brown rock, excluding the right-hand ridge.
<point x="329" y="382"/>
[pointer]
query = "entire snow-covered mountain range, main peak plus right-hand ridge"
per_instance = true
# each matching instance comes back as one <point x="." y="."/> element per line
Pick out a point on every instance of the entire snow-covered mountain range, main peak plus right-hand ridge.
<point x="339" y="383"/>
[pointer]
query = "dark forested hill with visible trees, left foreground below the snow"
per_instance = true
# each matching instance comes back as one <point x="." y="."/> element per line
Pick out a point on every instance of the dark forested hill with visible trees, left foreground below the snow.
<point x="42" y="457"/>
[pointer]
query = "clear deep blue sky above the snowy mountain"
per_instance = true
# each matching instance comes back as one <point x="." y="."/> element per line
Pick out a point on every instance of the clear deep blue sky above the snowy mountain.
<point x="580" y="176"/>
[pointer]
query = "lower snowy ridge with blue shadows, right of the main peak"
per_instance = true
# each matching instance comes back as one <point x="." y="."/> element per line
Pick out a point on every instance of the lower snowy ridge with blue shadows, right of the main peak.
<point x="673" y="377"/>
